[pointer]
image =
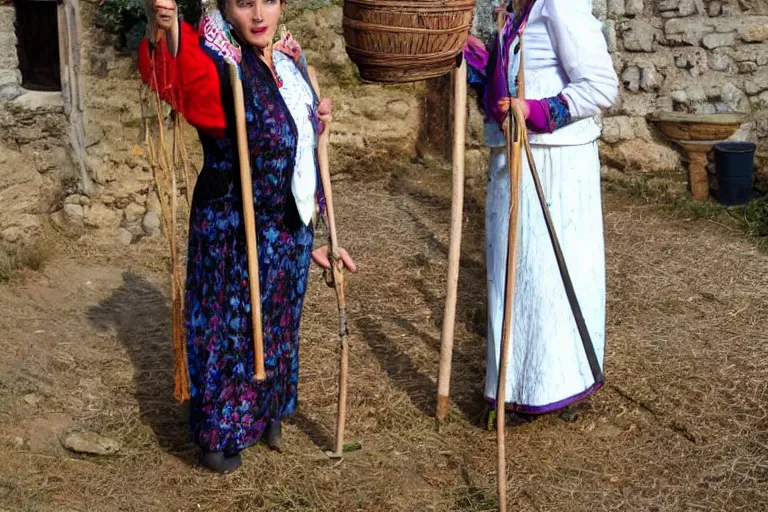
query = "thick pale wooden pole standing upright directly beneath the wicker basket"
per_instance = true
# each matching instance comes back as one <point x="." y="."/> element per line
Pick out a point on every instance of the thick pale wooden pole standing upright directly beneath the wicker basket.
<point x="454" y="252"/>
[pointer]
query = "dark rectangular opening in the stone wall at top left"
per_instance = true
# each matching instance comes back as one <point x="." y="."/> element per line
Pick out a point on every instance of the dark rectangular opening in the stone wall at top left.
<point x="37" y="35"/>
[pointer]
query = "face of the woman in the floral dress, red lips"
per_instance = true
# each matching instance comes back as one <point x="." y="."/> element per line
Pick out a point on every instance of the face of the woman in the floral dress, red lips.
<point x="255" y="21"/>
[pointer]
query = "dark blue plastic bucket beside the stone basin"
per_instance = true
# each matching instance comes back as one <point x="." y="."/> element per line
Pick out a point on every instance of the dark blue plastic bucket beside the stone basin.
<point x="734" y="165"/>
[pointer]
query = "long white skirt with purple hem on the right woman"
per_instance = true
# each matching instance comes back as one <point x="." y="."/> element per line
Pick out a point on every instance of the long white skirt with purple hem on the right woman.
<point x="548" y="368"/>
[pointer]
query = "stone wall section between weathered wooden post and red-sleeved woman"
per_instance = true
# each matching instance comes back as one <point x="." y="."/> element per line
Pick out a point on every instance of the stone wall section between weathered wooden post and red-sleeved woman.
<point x="123" y="204"/>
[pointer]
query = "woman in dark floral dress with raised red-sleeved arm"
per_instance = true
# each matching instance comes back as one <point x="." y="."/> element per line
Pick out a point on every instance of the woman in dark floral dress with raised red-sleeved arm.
<point x="229" y="410"/>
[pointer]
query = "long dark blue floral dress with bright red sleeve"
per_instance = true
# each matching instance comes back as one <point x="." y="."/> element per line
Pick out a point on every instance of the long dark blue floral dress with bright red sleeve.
<point x="229" y="411"/>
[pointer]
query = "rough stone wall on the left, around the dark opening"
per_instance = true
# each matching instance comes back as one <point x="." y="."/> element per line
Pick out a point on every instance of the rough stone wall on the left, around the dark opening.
<point x="80" y="171"/>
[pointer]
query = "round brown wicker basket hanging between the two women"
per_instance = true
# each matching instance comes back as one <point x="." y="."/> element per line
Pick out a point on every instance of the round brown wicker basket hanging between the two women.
<point x="405" y="40"/>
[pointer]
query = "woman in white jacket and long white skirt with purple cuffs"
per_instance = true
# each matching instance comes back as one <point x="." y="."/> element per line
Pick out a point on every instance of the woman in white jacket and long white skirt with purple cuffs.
<point x="569" y="79"/>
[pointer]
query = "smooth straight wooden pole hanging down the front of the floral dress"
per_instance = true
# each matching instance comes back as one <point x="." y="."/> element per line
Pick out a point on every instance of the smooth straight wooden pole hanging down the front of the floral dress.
<point x="249" y="221"/>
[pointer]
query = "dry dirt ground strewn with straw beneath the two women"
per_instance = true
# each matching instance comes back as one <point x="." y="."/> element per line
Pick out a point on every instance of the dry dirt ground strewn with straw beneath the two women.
<point x="681" y="425"/>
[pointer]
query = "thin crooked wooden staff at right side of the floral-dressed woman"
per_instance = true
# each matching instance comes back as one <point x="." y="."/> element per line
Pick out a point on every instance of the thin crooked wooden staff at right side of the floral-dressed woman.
<point x="337" y="276"/>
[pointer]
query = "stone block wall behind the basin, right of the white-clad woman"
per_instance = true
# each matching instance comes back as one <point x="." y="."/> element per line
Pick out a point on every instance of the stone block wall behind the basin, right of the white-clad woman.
<point x="688" y="56"/>
